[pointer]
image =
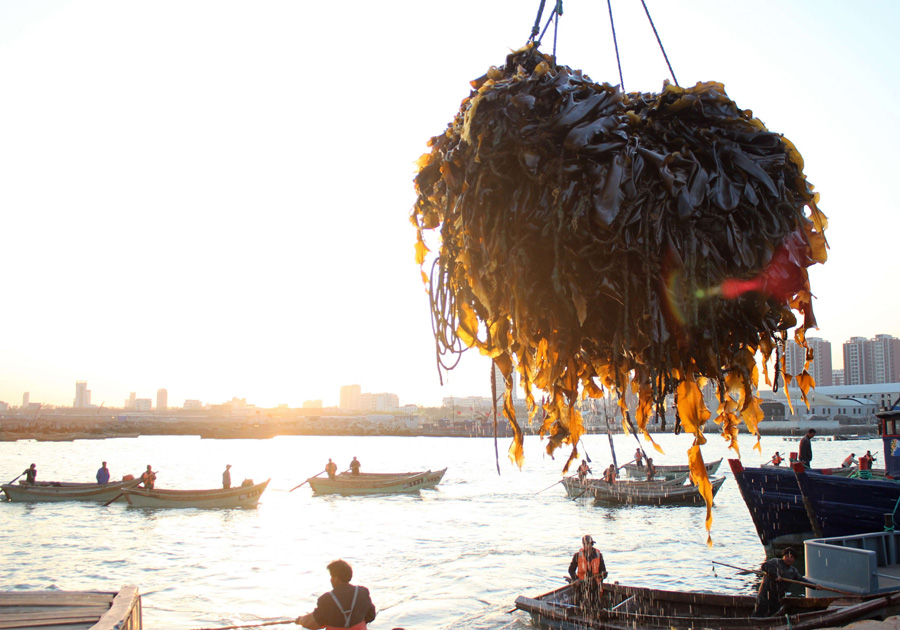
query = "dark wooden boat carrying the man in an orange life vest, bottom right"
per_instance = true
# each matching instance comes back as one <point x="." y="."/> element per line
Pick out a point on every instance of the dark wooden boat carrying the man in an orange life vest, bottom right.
<point x="629" y="607"/>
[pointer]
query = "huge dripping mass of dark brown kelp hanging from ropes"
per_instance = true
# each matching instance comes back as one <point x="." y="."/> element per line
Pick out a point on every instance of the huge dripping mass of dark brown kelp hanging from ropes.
<point x="593" y="241"/>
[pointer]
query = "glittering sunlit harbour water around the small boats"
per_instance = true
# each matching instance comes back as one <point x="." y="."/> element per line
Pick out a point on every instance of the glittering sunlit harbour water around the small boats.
<point x="453" y="557"/>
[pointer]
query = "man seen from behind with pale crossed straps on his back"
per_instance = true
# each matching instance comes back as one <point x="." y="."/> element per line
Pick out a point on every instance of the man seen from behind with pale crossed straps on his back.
<point x="344" y="607"/>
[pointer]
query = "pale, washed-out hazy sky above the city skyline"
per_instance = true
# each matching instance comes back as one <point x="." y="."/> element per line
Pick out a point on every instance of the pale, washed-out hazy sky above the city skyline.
<point x="213" y="197"/>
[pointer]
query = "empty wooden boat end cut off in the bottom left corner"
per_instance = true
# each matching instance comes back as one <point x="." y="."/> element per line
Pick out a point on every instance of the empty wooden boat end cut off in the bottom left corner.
<point x="68" y="610"/>
